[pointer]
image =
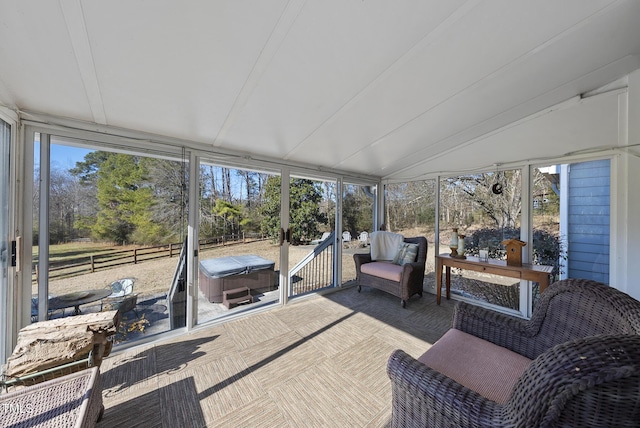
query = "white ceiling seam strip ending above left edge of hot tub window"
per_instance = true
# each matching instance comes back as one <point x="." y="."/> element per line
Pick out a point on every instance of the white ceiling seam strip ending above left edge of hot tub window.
<point x="279" y="33"/>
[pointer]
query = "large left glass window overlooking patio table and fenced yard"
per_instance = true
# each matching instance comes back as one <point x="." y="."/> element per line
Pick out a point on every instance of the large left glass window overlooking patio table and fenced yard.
<point x="116" y="223"/>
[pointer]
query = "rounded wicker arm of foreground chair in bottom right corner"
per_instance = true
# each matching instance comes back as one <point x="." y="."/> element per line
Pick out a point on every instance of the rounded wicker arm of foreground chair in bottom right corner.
<point x="588" y="382"/>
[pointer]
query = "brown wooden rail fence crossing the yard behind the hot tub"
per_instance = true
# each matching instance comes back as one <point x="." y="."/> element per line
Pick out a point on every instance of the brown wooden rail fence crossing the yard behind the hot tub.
<point x="92" y="263"/>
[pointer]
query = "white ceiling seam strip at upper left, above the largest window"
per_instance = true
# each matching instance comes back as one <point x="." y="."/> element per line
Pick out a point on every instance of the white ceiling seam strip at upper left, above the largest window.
<point x="76" y="27"/>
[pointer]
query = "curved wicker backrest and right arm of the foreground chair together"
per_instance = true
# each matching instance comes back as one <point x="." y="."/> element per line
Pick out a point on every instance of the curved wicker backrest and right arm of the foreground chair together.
<point x="586" y="372"/>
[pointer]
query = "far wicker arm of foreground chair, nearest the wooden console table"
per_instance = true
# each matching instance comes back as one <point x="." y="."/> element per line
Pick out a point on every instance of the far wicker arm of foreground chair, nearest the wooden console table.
<point x="515" y="334"/>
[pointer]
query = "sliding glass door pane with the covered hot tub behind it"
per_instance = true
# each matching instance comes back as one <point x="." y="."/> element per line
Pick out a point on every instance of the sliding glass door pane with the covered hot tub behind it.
<point x="238" y="241"/>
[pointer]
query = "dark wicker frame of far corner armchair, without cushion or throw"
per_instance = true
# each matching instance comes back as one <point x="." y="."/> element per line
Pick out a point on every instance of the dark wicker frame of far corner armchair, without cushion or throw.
<point x="411" y="279"/>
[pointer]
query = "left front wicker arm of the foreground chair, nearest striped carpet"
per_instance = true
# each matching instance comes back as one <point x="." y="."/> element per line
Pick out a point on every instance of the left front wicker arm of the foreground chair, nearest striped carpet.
<point x="425" y="397"/>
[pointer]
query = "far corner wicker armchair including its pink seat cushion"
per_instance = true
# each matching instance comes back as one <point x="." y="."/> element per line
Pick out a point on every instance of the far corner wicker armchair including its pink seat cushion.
<point x="402" y="279"/>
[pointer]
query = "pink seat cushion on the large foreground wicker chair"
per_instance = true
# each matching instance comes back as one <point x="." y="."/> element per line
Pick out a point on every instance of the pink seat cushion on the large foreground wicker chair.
<point x="490" y="370"/>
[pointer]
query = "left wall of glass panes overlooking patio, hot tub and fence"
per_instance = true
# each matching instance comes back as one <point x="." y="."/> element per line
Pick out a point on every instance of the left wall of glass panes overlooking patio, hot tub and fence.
<point x="103" y="211"/>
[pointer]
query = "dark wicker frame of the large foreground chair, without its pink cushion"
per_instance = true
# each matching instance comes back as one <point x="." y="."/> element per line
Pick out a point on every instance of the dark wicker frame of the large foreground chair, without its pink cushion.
<point x="584" y="340"/>
